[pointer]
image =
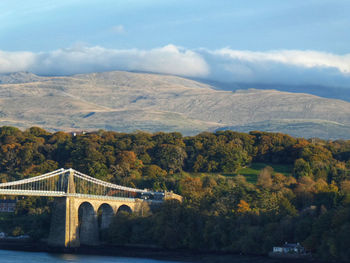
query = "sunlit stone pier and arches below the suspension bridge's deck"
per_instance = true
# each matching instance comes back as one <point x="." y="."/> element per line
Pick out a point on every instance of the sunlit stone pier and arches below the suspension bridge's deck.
<point x="77" y="220"/>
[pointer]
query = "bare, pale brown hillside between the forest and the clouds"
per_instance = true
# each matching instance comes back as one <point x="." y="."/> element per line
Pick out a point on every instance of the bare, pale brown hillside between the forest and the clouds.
<point x="125" y="101"/>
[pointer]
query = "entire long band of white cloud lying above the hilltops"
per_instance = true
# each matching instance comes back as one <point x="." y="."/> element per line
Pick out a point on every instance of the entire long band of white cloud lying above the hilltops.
<point x="226" y="65"/>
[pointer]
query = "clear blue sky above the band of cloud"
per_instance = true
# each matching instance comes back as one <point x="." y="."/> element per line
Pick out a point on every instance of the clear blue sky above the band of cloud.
<point x="245" y="25"/>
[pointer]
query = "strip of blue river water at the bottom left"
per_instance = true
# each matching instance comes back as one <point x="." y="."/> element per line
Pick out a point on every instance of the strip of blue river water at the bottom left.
<point x="10" y="256"/>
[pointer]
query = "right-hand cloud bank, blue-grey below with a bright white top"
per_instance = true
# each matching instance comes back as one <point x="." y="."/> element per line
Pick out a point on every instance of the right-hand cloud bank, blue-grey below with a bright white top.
<point x="281" y="66"/>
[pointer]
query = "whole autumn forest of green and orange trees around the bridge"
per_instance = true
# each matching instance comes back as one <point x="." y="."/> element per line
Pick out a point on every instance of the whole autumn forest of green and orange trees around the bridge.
<point x="224" y="209"/>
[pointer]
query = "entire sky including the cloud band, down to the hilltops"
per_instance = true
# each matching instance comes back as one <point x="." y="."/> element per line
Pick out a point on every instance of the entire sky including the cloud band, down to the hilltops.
<point x="233" y="40"/>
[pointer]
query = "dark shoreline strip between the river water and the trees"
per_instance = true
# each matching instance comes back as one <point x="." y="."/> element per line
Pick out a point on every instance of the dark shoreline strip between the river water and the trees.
<point x="144" y="252"/>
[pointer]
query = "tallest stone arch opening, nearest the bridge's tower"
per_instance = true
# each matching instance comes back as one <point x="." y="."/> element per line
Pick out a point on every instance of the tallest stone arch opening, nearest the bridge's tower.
<point x="88" y="225"/>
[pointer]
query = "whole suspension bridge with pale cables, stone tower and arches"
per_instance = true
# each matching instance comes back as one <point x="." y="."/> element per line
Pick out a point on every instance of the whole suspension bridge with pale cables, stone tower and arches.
<point x="83" y="204"/>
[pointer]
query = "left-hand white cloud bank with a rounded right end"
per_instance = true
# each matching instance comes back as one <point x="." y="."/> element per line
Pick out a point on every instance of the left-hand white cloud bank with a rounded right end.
<point x="81" y="59"/>
